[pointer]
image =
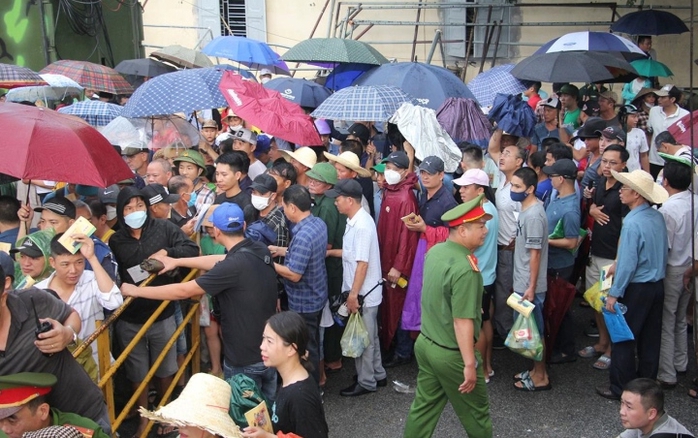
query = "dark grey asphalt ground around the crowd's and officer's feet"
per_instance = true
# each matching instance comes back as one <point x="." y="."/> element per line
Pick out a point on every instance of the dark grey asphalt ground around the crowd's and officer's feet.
<point x="571" y="409"/>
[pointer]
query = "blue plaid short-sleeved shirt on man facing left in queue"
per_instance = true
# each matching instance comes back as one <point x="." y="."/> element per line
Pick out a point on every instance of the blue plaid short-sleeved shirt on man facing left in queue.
<point x="306" y="256"/>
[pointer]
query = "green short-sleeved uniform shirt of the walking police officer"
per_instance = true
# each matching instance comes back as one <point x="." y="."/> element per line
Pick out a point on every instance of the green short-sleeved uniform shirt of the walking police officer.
<point x="451" y="289"/>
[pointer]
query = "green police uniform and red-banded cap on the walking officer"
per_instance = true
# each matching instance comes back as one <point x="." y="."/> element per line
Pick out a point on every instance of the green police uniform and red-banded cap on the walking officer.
<point x="452" y="288"/>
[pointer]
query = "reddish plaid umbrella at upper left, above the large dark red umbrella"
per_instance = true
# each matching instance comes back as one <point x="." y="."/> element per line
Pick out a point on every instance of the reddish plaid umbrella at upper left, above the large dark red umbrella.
<point x="93" y="76"/>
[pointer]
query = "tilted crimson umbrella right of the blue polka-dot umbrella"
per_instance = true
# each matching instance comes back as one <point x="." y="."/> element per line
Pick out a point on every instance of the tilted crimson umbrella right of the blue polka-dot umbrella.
<point x="268" y="110"/>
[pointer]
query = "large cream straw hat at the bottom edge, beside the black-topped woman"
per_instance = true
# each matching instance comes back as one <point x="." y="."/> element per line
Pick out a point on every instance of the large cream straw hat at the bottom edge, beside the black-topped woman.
<point x="204" y="403"/>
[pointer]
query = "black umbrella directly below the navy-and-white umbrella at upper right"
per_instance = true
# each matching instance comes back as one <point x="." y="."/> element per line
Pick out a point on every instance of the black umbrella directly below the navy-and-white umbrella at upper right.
<point x="583" y="67"/>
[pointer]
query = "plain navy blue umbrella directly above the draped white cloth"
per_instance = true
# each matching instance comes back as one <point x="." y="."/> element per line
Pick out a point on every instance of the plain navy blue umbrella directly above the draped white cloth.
<point x="429" y="84"/>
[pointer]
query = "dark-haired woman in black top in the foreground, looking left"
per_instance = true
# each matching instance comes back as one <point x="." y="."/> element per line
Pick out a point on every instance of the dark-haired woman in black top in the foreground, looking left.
<point x="298" y="406"/>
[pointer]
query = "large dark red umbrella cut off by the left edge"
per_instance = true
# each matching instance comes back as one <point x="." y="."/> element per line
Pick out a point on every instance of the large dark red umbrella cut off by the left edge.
<point x="40" y="143"/>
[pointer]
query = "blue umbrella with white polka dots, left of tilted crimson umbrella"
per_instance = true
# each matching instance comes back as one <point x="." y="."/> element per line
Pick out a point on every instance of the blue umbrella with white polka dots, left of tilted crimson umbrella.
<point x="183" y="91"/>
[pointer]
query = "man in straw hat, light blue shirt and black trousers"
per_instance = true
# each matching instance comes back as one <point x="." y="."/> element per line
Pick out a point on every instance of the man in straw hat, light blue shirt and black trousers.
<point x="638" y="276"/>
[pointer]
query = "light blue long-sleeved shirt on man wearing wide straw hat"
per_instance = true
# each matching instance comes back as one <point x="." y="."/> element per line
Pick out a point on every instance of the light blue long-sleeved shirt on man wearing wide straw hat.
<point x="643" y="249"/>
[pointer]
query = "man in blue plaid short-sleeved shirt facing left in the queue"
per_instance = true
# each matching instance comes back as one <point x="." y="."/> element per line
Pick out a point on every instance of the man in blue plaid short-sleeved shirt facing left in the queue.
<point x="303" y="271"/>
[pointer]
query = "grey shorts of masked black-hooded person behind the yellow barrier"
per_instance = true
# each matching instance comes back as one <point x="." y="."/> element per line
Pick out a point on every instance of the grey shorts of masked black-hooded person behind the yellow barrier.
<point x="148" y="348"/>
